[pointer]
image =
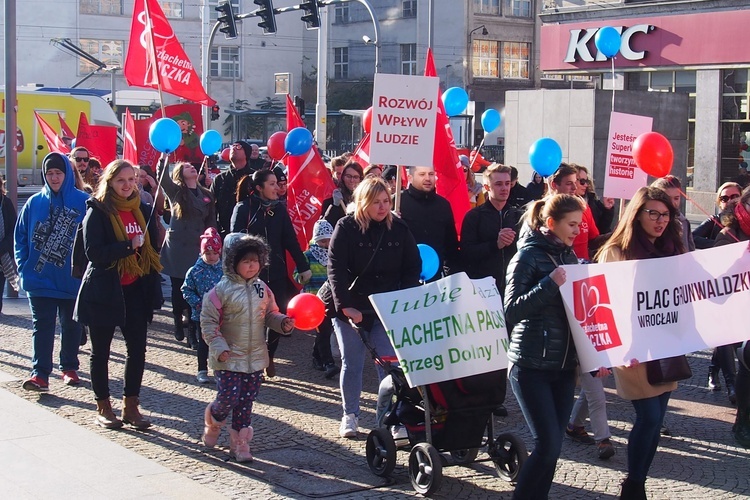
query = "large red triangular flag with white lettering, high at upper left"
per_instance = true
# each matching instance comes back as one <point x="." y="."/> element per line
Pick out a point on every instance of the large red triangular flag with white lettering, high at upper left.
<point x="151" y="36"/>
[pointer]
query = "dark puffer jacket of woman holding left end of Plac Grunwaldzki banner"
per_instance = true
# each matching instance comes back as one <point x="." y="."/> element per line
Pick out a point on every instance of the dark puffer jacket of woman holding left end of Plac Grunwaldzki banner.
<point x="540" y="337"/>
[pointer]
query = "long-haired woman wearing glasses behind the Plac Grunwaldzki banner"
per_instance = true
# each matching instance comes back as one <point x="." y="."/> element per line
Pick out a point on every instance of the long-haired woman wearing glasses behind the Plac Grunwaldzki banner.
<point x="649" y="229"/>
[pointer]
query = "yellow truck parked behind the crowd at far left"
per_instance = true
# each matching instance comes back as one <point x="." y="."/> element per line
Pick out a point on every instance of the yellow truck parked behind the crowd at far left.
<point x="29" y="139"/>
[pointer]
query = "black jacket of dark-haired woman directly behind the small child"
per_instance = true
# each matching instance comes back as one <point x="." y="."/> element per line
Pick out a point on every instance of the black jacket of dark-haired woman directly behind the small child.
<point x="273" y="224"/>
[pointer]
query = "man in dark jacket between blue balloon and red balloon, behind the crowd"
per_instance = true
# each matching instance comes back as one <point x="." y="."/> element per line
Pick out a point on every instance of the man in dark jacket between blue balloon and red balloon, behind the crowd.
<point x="224" y="186"/>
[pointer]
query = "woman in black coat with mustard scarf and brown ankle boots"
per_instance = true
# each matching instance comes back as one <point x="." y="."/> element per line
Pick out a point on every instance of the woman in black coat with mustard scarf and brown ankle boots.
<point x="120" y="287"/>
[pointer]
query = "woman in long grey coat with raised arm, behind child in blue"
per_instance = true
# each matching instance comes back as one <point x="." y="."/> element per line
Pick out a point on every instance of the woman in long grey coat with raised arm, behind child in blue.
<point x="193" y="211"/>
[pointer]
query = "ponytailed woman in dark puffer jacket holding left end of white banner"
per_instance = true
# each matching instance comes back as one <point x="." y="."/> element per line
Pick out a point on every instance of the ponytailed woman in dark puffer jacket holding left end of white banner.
<point x="541" y="346"/>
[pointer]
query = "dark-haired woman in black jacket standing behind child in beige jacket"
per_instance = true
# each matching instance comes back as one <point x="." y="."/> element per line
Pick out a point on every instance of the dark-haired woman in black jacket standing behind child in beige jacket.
<point x="259" y="212"/>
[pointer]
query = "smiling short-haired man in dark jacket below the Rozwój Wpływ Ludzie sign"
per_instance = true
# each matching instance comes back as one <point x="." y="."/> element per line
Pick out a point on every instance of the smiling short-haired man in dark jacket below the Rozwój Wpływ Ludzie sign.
<point x="430" y="218"/>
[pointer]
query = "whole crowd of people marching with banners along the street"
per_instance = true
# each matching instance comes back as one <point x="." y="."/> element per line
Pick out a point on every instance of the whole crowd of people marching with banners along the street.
<point x="224" y="243"/>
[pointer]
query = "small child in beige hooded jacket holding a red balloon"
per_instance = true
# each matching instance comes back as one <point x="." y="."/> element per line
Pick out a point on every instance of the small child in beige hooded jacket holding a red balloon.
<point x="234" y="316"/>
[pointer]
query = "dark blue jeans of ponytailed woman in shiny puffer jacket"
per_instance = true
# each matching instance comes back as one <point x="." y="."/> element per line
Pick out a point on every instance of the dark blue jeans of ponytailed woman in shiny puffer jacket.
<point x="545" y="398"/>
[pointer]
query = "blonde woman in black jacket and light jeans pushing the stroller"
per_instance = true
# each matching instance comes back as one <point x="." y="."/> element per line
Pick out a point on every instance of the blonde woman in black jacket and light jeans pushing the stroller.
<point x="371" y="251"/>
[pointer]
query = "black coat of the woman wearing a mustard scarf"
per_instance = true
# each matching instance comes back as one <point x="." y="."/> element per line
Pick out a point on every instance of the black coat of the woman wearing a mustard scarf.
<point x="100" y="300"/>
